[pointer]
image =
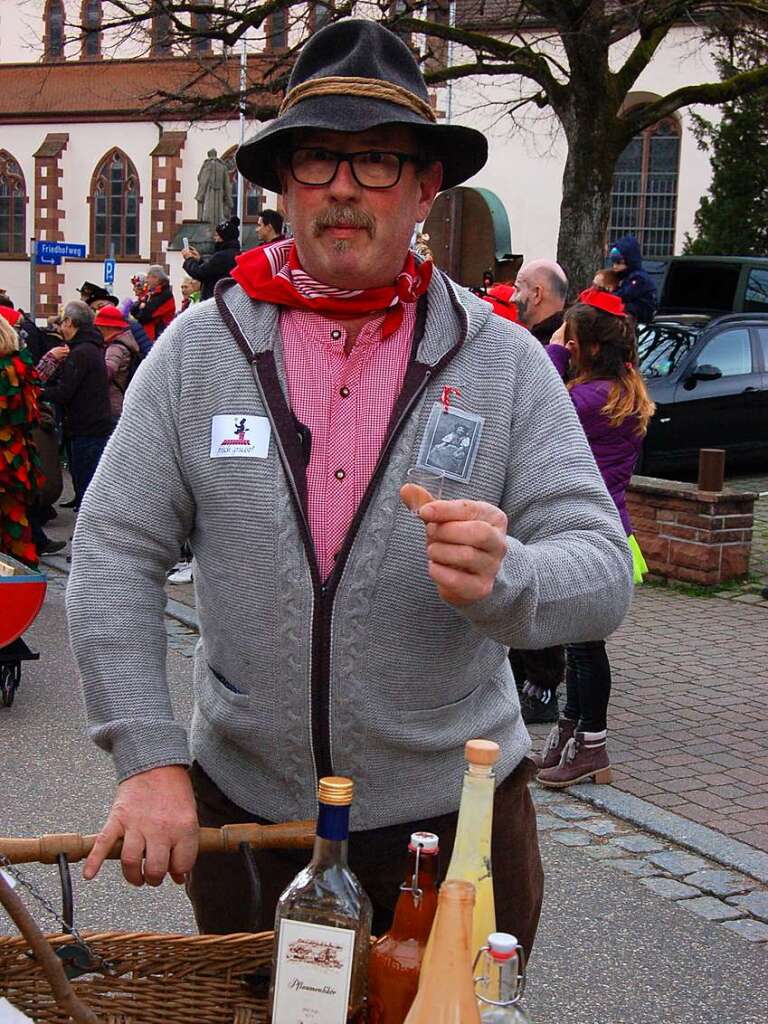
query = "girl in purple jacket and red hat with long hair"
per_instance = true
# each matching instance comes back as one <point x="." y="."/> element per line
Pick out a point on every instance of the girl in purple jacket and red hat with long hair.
<point x="594" y="351"/>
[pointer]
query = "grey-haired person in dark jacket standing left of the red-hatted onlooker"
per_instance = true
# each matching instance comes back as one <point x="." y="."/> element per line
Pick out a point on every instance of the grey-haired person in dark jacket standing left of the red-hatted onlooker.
<point x="82" y="391"/>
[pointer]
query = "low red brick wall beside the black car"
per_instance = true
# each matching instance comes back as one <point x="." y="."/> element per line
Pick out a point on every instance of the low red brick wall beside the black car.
<point x="693" y="536"/>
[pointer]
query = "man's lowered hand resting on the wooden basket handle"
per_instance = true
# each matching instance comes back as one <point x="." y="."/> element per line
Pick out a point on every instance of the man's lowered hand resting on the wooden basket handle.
<point x="156" y="817"/>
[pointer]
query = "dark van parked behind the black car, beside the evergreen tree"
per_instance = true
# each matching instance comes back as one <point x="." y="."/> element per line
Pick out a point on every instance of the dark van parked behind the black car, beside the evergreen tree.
<point x="714" y="285"/>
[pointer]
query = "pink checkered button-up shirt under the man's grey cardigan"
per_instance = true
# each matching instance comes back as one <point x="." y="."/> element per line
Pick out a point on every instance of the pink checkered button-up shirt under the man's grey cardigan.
<point x="347" y="403"/>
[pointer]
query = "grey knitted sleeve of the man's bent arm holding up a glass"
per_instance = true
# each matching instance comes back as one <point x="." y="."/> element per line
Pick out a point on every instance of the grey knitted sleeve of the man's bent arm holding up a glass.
<point x="568" y="573"/>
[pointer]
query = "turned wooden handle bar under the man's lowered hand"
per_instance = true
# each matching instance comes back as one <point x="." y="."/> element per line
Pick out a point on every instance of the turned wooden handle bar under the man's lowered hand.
<point x="46" y="849"/>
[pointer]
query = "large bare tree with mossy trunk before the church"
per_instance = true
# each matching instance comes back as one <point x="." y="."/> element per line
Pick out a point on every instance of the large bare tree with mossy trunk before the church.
<point x="559" y="51"/>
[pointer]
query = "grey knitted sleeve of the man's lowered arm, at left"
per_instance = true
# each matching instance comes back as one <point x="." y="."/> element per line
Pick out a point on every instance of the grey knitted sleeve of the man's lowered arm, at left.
<point x="137" y="515"/>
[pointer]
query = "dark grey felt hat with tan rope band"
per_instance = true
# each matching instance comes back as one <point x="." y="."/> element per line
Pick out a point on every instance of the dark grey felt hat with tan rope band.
<point x="352" y="76"/>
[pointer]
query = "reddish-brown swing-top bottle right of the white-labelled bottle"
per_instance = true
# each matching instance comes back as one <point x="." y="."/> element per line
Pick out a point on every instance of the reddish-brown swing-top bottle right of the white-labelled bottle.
<point x="397" y="958"/>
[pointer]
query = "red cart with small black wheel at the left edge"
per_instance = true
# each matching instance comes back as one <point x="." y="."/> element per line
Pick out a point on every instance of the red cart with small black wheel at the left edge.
<point x="22" y="595"/>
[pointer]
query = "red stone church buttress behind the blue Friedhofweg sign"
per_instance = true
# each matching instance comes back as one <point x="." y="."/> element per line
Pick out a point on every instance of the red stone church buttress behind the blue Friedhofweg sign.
<point x="49" y="221"/>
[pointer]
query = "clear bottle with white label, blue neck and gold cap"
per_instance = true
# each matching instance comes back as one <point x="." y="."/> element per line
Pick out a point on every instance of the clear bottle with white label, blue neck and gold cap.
<point x="323" y="927"/>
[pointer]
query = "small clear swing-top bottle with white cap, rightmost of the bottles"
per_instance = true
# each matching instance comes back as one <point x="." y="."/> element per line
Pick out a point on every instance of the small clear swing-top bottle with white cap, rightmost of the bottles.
<point x="500" y="980"/>
